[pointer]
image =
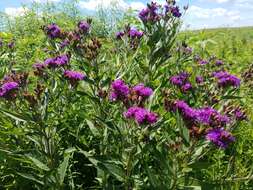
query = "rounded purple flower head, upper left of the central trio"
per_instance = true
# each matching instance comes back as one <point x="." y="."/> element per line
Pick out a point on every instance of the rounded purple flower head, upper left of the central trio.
<point x="120" y="90"/>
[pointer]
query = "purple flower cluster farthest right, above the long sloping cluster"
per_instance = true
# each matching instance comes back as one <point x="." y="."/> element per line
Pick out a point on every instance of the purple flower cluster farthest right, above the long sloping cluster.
<point x="225" y="79"/>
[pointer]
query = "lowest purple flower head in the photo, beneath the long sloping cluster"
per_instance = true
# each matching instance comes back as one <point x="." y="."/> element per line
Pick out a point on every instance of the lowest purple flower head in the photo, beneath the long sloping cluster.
<point x="220" y="137"/>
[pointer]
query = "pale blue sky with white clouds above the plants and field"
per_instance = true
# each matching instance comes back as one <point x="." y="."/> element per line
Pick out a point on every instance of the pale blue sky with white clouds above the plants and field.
<point x="201" y="13"/>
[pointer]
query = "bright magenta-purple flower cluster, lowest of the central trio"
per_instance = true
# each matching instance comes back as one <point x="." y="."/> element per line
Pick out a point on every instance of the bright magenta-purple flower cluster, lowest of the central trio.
<point x="141" y="115"/>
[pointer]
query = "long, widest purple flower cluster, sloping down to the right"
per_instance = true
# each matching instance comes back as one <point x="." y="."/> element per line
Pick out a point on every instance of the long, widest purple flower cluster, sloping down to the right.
<point x="204" y="116"/>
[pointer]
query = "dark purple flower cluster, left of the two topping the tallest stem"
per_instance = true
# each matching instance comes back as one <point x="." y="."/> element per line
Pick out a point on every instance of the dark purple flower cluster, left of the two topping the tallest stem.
<point x="149" y="14"/>
